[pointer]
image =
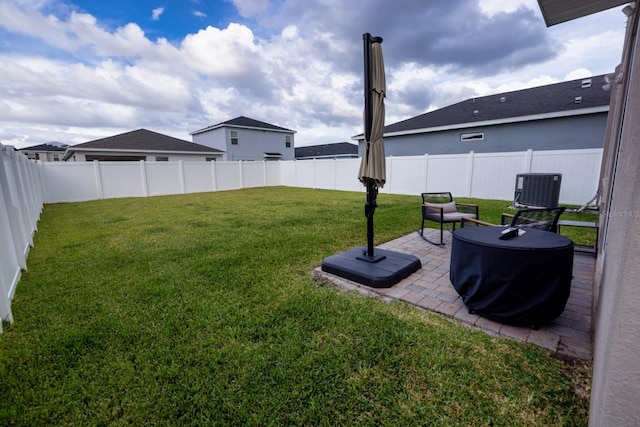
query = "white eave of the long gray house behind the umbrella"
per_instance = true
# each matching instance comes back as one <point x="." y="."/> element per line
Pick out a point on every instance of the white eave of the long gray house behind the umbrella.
<point x="508" y="120"/>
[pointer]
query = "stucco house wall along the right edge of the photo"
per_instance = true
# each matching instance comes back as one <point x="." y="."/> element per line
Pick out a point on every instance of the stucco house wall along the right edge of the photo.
<point x="615" y="394"/>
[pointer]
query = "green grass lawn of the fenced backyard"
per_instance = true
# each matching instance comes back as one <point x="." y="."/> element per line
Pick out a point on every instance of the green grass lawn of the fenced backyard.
<point x="200" y="309"/>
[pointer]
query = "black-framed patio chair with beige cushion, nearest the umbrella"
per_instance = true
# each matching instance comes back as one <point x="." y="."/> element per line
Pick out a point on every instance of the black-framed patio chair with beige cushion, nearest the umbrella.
<point x="441" y="208"/>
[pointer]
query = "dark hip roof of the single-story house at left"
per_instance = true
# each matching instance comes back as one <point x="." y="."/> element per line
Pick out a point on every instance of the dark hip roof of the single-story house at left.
<point x="141" y="140"/>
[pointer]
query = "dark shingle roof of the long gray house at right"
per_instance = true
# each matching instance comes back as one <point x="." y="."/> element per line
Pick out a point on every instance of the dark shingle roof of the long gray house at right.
<point x="575" y="97"/>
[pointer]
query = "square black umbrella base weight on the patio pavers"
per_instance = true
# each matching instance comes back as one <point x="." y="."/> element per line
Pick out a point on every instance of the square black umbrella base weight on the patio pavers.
<point x="389" y="269"/>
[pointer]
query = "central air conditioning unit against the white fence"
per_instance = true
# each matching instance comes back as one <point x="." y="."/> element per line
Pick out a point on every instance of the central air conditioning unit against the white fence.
<point x="537" y="190"/>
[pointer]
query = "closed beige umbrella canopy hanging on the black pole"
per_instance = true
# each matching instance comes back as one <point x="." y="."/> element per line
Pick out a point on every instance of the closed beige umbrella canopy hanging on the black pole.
<point x="373" y="161"/>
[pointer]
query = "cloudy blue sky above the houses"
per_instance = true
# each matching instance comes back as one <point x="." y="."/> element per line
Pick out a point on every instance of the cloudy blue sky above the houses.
<point x="77" y="70"/>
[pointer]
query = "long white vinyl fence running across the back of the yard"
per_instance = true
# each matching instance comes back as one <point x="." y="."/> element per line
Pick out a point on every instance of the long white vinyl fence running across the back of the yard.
<point x="479" y="175"/>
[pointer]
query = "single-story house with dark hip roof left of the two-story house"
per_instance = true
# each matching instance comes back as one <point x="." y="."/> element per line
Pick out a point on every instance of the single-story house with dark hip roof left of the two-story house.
<point x="139" y="145"/>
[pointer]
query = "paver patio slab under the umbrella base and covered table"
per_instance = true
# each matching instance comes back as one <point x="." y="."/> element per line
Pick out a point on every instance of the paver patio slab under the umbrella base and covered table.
<point x="429" y="288"/>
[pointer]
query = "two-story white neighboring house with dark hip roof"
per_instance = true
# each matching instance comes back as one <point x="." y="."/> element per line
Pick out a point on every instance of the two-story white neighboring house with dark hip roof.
<point x="243" y="138"/>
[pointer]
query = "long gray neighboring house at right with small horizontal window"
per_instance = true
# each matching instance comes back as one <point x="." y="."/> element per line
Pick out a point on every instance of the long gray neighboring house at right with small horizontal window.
<point x="561" y="116"/>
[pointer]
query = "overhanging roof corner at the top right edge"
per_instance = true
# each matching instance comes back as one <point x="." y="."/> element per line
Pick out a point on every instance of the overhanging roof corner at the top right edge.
<point x="557" y="11"/>
